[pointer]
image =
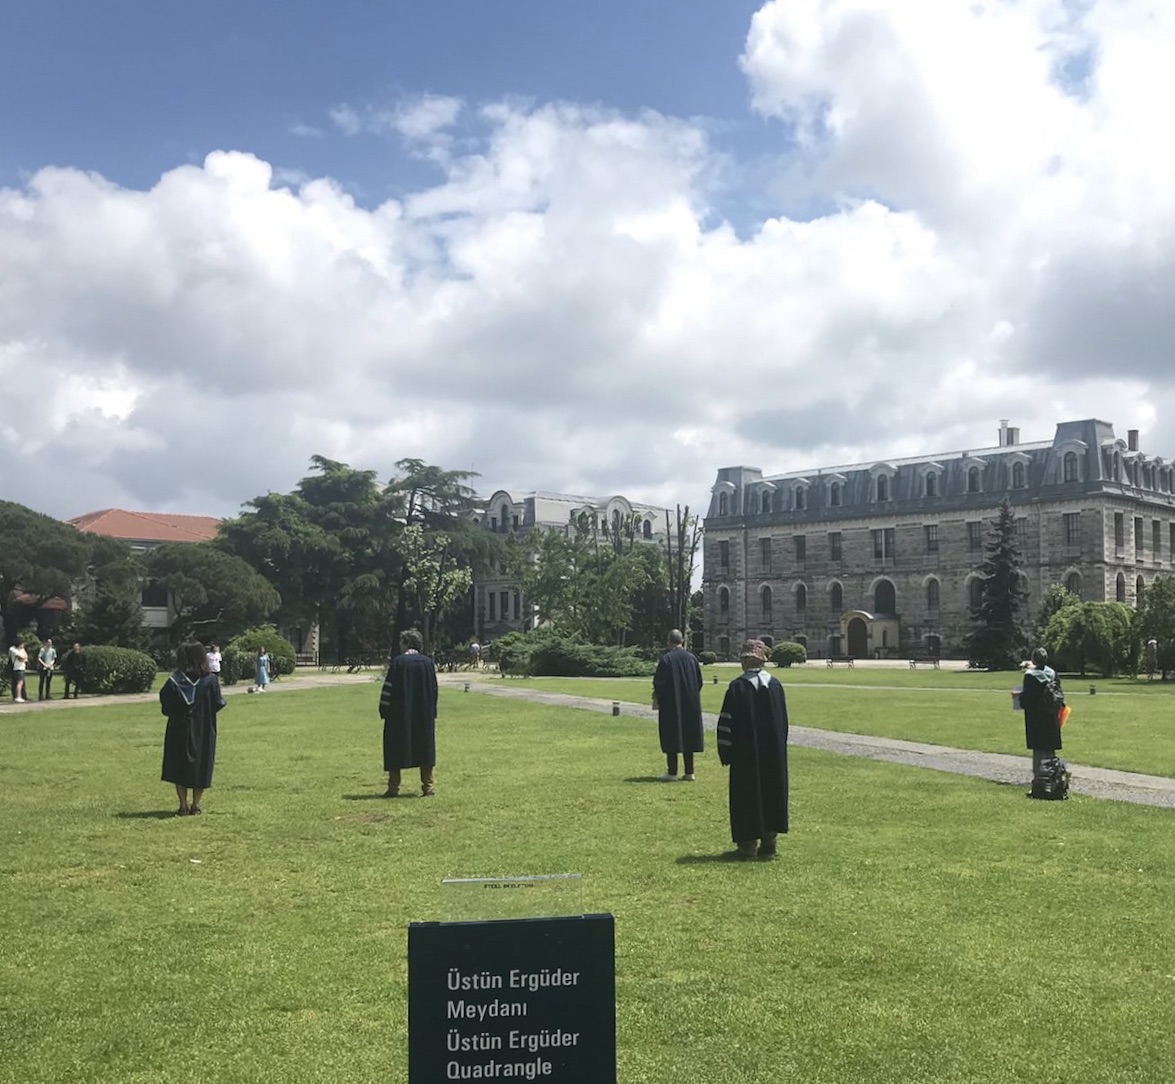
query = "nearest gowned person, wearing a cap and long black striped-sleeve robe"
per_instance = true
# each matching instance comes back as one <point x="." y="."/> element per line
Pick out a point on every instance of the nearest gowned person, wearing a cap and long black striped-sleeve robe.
<point x="753" y="740"/>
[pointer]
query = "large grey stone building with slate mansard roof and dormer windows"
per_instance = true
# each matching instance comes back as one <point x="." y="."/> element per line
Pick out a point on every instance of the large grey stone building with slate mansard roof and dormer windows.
<point x="882" y="560"/>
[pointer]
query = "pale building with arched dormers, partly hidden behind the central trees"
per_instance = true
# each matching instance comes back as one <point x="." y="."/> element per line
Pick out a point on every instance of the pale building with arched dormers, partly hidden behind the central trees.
<point x="499" y="604"/>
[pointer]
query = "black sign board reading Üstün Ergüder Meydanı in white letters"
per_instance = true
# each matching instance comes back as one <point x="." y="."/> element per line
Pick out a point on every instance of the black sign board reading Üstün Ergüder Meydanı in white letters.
<point x="513" y="1000"/>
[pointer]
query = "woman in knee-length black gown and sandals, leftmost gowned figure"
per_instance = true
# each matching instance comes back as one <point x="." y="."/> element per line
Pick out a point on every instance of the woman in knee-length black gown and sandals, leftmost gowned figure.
<point x="191" y="699"/>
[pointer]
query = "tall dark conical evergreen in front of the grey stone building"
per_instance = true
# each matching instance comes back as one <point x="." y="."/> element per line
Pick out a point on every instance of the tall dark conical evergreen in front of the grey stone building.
<point x="998" y="641"/>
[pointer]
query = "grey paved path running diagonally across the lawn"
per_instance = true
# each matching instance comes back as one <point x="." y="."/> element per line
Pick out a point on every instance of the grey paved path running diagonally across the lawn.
<point x="997" y="767"/>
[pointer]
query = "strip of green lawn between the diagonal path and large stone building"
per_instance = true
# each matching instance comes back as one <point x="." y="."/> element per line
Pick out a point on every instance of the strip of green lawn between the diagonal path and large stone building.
<point x="1127" y="725"/>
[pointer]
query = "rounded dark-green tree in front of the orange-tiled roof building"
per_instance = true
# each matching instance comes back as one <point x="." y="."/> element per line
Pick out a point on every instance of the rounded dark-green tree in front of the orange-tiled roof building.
<point x="213" y="594"/>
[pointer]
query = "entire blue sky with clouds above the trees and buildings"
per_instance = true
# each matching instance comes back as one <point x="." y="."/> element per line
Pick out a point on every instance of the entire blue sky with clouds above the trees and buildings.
<point x="583" y="248"/>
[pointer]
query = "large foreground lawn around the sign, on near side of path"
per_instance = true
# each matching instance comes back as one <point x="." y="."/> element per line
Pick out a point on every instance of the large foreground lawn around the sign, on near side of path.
<point x="918" y="927"/>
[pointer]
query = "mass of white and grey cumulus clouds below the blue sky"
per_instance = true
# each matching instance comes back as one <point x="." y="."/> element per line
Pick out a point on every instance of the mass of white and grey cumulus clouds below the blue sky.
<point x="563" y="309"/>
